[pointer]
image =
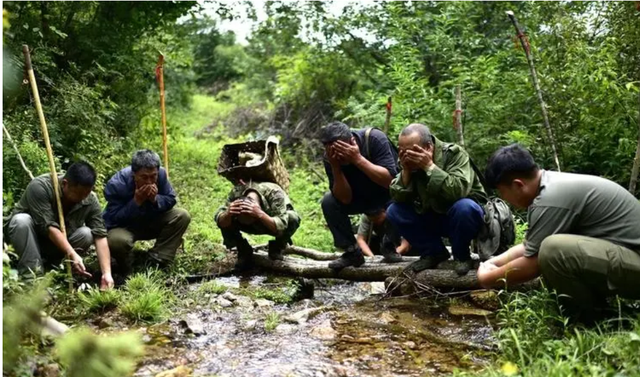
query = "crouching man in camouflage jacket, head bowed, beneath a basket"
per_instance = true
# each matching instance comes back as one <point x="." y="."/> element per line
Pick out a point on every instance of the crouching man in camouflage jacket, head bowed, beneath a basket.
<point x="257" y="208"/>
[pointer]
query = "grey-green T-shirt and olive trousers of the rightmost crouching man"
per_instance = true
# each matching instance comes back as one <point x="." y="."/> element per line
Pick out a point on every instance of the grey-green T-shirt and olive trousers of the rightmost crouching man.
<point x="586" y="233"/>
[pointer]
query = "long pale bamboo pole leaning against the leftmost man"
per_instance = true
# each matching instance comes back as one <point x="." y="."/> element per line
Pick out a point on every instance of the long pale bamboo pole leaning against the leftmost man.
<point x="52" y="165"/>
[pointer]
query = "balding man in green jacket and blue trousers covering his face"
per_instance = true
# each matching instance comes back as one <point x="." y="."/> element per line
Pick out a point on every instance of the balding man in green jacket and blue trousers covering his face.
<point x="437" y="194"/>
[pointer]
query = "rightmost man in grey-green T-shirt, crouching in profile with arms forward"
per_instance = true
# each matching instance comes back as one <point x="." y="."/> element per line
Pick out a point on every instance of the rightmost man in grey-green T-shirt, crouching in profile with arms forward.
<point x="583" y="236"/>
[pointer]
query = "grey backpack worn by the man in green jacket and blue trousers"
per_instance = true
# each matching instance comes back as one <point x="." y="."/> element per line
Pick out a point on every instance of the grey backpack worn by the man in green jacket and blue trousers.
<point x="498" y="232"/>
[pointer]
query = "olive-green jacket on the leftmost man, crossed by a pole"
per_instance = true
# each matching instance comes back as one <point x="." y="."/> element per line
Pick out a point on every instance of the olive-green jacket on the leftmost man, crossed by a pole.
<point x="39" y="202"/>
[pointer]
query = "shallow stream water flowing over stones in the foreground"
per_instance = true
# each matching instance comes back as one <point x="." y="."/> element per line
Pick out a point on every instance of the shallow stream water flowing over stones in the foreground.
<point x="353" y="333"/>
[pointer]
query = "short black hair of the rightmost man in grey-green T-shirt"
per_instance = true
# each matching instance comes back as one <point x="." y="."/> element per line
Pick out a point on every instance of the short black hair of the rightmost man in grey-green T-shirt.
<point x="509" y="163"/>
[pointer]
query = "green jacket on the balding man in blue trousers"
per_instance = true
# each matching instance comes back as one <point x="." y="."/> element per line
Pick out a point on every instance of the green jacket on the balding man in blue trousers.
<point x="452" y="179"/>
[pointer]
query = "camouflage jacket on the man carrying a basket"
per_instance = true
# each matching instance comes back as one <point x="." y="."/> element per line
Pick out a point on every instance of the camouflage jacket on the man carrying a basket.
<point x="275" y="202"/>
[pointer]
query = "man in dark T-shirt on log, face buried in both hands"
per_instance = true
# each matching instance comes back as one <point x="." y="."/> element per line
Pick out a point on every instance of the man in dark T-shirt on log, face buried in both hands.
<point x="360" y="165"/>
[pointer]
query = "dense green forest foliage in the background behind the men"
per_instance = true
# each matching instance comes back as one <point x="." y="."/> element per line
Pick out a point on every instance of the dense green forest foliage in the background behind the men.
<point x="303" y="66"/>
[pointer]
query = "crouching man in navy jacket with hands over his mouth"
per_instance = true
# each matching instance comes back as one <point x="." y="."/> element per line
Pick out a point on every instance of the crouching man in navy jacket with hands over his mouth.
<point x="141" y="206"/>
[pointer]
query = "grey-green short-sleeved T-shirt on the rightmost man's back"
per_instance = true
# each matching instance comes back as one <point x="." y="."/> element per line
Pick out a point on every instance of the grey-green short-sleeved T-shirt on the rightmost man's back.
<point x="583" y="205"/>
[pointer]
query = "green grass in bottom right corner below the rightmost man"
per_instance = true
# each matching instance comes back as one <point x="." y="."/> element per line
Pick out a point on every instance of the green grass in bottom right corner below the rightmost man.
<point x="535" y="340"/>
